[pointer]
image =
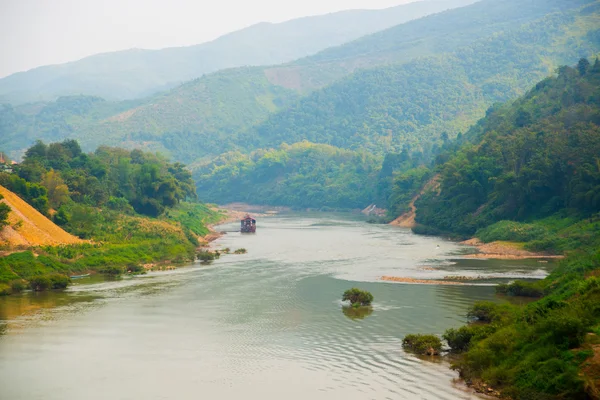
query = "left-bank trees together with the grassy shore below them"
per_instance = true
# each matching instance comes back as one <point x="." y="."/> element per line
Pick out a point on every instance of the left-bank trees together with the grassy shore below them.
<point x="102" y="197"/>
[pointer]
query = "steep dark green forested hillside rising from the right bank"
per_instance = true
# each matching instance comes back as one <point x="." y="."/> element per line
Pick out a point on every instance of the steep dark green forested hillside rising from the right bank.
<point x="526" y="161"/>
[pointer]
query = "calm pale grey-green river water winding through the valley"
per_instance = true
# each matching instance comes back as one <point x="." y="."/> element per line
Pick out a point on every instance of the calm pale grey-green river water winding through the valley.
<point x="265" y="325"/>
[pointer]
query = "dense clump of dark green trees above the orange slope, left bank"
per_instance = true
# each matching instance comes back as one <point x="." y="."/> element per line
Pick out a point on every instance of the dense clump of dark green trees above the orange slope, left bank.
<point x="52" y="175"/>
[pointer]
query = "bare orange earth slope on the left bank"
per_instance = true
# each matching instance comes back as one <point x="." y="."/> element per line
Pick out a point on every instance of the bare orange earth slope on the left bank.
<point x="28" y="227"/>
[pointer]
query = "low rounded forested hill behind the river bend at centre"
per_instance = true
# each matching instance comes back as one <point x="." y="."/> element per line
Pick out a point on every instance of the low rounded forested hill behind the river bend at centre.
<point x="301" y="175"/>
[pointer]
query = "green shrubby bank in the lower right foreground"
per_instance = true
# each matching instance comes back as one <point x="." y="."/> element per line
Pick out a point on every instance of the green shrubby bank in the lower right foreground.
<point x="543" y="350"/>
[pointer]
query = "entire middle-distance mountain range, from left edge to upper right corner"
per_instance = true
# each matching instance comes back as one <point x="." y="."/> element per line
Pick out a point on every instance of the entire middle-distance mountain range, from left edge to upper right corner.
<point x="498" y="57"/>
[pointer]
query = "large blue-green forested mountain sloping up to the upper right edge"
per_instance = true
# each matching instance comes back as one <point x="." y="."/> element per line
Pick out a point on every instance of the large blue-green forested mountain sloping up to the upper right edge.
<point x="381" y="109"/>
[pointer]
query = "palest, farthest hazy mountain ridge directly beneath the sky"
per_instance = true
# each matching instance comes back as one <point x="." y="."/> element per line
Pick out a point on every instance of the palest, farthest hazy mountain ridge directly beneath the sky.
<point x="135" y="73"/>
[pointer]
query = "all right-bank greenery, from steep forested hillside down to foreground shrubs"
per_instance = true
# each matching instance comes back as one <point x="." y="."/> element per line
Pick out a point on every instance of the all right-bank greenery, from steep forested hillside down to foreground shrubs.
<point x="529" y="173"/>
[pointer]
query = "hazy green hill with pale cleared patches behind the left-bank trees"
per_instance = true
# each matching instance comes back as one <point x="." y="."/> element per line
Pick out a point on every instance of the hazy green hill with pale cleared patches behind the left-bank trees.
<point x="198" y="118"/>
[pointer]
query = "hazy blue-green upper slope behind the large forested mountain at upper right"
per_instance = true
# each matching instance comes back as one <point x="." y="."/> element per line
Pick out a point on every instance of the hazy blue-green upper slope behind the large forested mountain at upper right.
<point x="438" y="33"/>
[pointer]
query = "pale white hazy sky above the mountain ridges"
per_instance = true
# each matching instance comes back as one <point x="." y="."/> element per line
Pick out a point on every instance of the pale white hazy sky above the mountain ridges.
<point x="41" y="32"/>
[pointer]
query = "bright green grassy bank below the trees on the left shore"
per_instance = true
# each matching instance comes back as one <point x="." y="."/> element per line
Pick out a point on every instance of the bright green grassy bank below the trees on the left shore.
<point x="117" y="240"/>
